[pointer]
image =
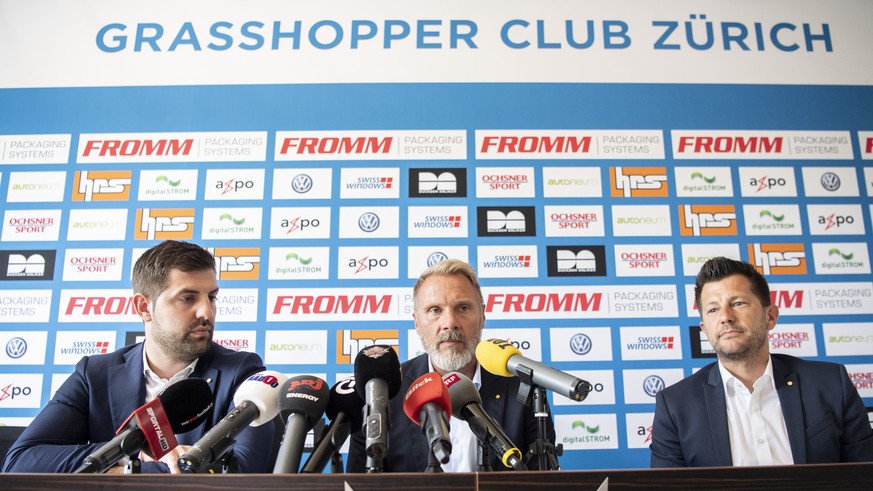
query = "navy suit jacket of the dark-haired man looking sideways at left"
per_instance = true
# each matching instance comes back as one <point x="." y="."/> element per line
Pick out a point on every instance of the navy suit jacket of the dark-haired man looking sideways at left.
<point x="105" y="389"/>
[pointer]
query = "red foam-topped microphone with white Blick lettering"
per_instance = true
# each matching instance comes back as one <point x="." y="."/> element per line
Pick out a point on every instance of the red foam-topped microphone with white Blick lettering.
<point x="427" y="404"/>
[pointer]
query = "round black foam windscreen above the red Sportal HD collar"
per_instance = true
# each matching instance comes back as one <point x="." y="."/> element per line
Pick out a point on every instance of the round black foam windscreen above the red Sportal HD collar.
<point x="186" y="403"/>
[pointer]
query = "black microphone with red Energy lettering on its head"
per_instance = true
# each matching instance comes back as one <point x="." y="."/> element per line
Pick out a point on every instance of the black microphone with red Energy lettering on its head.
<point x="302" y="401"/>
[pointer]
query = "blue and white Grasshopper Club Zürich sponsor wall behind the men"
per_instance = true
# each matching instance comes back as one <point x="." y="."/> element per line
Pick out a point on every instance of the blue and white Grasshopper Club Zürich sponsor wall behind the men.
<point x="585" y="157"/>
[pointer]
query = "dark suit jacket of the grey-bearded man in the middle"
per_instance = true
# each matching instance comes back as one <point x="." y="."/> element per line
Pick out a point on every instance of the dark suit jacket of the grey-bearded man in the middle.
<point x="408" y="450"/>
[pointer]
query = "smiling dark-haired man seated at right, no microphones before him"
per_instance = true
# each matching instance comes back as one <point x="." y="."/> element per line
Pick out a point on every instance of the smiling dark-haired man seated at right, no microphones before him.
<point x="751" y="407"/>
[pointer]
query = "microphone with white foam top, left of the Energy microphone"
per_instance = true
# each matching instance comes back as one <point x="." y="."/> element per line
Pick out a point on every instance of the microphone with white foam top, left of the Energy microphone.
<point x="256" y="402"/>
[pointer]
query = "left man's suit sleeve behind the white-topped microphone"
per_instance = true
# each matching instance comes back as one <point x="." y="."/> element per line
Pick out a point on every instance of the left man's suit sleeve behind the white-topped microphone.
<point x="254" y="444"/>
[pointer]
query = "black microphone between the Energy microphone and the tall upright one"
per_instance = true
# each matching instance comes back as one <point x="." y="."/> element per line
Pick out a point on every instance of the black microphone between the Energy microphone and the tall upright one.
<point x="344" y="409"/>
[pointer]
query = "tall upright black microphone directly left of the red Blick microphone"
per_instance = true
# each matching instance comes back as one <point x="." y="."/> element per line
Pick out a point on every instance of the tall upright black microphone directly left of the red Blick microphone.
<point x="377" y="372"/>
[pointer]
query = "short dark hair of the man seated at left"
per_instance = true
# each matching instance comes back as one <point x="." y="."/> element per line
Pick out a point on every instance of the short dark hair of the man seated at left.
<point x="152" y="269"/>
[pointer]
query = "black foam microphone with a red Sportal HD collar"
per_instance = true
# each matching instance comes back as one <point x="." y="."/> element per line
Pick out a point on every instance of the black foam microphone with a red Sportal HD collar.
<point x="179" y="408"/>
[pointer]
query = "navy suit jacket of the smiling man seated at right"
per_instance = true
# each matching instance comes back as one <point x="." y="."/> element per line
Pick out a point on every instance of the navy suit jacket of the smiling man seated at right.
<point x="824" y="415"/>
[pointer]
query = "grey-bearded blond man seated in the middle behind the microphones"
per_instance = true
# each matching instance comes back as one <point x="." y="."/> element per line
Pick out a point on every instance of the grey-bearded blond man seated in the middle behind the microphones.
<point x="449" y="315"/>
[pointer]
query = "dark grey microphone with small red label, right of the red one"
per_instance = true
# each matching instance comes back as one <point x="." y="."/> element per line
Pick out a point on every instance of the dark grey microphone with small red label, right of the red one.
<point x="467" y="406"/>
